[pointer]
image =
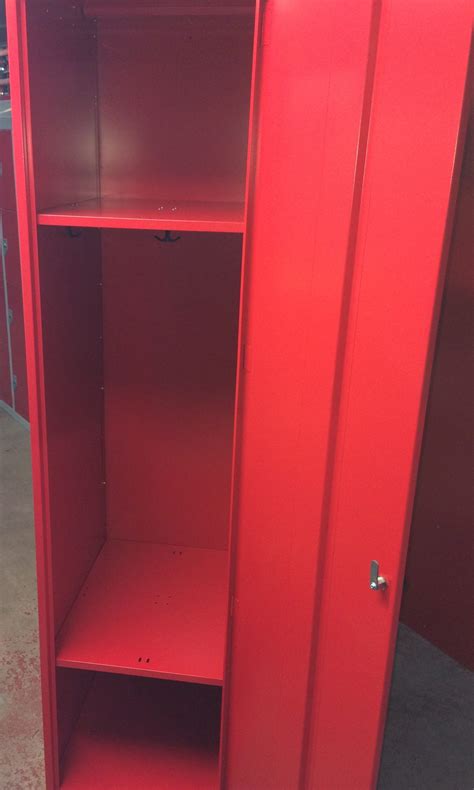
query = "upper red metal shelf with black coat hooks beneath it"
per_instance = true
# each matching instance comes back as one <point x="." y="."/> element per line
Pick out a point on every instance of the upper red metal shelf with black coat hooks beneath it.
<point x="141" y="214"/>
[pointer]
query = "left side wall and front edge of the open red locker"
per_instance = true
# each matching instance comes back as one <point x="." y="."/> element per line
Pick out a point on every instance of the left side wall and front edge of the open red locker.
<point x="62" y="431"/>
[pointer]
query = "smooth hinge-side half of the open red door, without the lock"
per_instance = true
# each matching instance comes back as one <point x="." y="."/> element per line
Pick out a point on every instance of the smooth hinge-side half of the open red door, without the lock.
<point x="315" y="58"/>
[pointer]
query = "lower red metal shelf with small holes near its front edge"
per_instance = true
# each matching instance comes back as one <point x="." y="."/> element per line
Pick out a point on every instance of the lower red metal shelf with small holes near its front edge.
<point x="150" y="609"/>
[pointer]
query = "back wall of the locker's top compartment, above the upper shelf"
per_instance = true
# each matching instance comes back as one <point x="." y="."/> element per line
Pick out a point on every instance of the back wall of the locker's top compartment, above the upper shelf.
<point x="174" y="106"/>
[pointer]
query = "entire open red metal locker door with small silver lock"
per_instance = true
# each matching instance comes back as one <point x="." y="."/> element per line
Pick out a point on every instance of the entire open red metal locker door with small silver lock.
<point x="349" y="217"/>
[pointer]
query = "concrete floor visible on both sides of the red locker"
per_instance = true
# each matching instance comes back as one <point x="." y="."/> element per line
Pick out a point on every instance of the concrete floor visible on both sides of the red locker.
<point x="429" y="734"/>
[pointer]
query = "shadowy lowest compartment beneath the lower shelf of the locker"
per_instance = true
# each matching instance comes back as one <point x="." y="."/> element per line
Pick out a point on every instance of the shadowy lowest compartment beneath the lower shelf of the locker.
<point x="145" y="733"/>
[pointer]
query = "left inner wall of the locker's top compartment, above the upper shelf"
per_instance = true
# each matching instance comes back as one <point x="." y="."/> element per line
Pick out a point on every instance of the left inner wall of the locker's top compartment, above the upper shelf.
<point x="62" y="54"/>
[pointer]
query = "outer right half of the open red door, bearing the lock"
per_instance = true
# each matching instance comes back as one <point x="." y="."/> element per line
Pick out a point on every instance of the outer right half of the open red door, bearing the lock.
<point x="414" y="129"/>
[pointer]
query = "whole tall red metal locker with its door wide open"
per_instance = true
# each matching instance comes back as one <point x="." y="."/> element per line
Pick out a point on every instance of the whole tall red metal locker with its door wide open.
<point x="139" y="196"/>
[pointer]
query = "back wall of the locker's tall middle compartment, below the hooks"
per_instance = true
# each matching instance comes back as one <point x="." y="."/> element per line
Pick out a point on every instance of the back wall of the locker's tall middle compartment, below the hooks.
<point x="170" y="334"/>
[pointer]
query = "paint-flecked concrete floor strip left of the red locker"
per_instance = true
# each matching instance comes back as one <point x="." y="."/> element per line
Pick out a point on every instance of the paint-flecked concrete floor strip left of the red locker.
<point x="21" y="751"/>
